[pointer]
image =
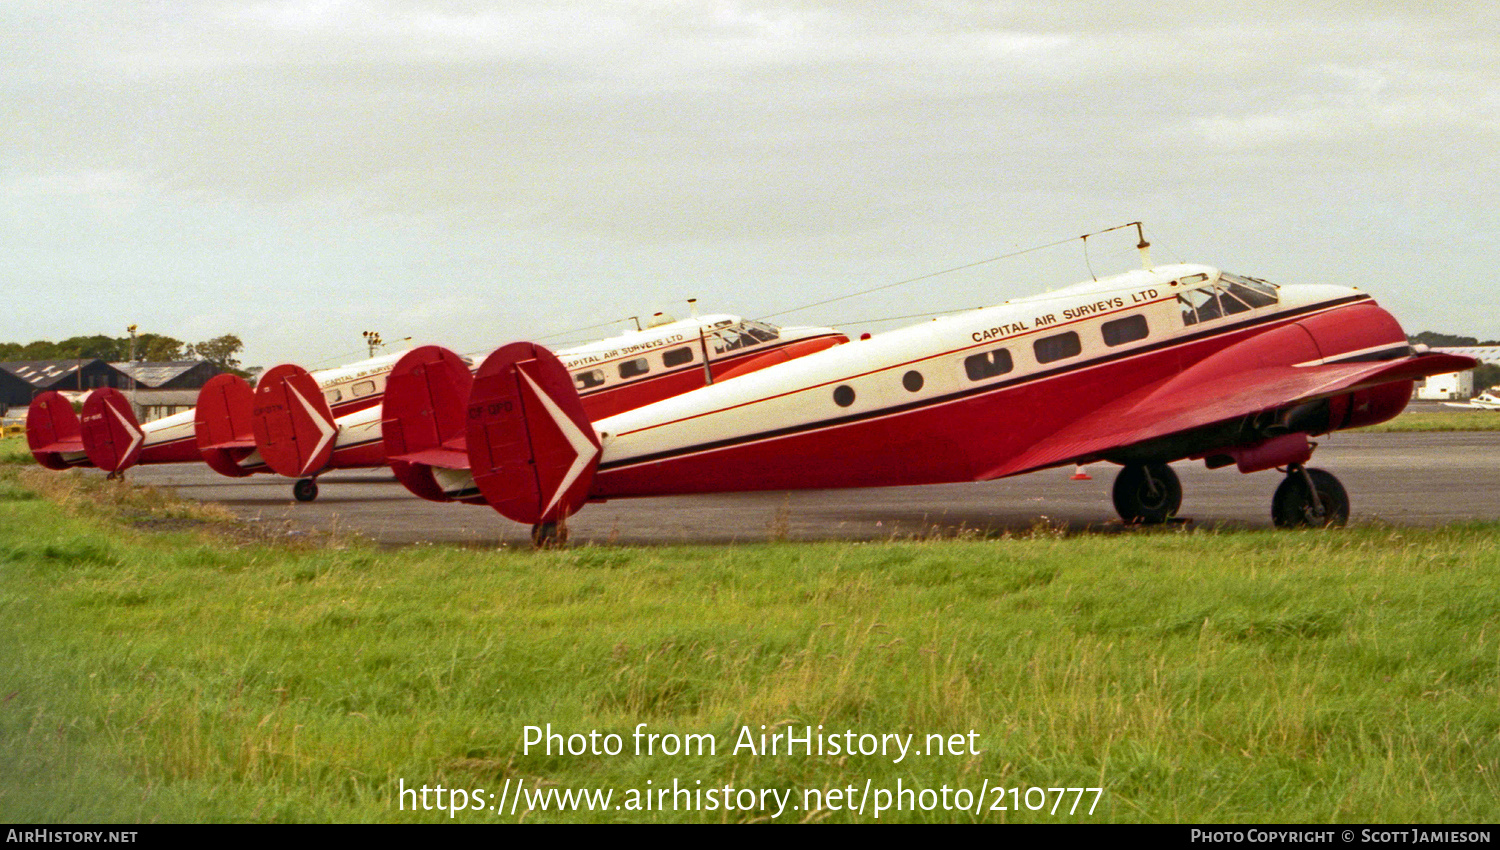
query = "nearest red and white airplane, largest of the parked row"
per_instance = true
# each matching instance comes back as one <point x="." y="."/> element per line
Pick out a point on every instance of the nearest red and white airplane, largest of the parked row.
<point x="1141" y="370"/>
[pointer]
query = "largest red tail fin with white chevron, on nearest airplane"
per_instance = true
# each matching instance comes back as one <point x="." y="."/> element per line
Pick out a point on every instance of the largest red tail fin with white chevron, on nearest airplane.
<point x="532" y="449"/>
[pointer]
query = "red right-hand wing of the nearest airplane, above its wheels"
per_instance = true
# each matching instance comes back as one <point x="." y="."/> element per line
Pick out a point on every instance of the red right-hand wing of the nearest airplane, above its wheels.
<point x="1190" y="401"/>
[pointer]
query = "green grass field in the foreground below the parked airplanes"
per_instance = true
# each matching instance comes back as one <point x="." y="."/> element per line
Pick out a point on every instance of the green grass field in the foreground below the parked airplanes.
<point x="158" y="663"/>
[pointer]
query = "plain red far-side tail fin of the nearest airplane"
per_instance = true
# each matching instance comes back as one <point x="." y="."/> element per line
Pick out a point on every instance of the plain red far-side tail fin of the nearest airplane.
<point x="427" y="401"/>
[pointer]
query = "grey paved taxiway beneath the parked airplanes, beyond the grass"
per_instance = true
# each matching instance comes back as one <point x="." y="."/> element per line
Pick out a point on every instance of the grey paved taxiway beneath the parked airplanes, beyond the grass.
<point x="1400" y="479"/>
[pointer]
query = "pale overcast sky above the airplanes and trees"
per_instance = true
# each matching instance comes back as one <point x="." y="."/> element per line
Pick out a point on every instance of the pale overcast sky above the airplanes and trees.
<point x="473" y="173"/>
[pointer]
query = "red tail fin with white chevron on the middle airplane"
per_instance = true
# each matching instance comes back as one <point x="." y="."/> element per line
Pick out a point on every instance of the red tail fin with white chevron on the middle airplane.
<point x="292" y="422"/>
